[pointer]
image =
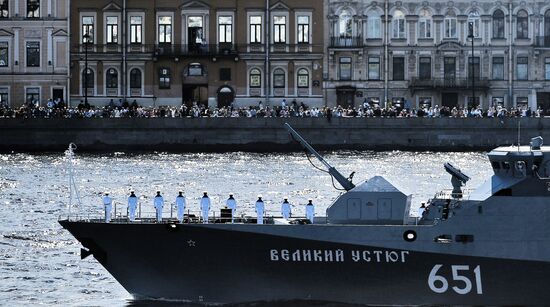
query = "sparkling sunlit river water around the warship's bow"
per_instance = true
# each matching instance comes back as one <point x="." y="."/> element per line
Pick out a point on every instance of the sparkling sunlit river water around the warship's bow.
<point x="40" y="262"/>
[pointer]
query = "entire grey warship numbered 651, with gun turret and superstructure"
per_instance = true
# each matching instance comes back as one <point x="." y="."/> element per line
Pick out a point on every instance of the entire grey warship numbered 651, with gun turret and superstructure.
<point x="489" y="246"/>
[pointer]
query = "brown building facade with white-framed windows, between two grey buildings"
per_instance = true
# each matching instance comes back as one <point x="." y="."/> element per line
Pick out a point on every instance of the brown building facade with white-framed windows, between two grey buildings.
<point x="214" y="52"/>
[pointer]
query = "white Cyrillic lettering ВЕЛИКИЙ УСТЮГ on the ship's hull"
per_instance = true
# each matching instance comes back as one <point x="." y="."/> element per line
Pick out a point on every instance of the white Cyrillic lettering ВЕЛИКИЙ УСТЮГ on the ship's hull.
<point x="338" y="255"/>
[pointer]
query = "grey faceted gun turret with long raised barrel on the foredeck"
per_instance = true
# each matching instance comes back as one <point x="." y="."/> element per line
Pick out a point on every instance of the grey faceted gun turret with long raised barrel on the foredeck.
<point x="373" y="202"/>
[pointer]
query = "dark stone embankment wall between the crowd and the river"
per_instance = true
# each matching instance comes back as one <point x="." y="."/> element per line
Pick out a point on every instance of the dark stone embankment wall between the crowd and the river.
<point x="266" y="134"/>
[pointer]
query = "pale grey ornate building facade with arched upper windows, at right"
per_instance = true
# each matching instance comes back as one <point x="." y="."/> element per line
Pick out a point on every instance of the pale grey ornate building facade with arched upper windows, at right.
<point x="414" y="53"/>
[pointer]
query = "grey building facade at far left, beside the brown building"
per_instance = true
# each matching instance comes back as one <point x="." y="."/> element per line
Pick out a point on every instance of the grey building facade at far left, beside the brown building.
<point x="34" y="50"/>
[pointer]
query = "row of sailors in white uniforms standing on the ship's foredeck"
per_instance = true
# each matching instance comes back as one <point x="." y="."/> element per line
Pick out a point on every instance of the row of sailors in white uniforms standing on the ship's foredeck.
<point x="231" y="203"/>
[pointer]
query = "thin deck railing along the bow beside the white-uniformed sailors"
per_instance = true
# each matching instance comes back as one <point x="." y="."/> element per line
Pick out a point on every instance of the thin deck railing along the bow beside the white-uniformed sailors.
<point x="147" y="214"/>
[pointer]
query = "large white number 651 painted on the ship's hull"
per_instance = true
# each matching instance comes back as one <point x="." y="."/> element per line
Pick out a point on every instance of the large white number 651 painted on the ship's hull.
<point x="461" y="284"/>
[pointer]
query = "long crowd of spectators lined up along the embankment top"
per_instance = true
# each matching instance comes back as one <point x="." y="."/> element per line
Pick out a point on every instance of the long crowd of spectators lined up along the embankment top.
<point x="117" y="109"/>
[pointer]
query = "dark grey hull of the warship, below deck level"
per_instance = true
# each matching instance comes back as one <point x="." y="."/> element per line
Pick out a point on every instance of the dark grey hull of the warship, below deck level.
<point x="224" y="263"/>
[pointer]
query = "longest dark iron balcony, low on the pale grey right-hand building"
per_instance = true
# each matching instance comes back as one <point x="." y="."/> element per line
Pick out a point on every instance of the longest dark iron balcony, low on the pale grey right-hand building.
<point x="449" y="83"/>
